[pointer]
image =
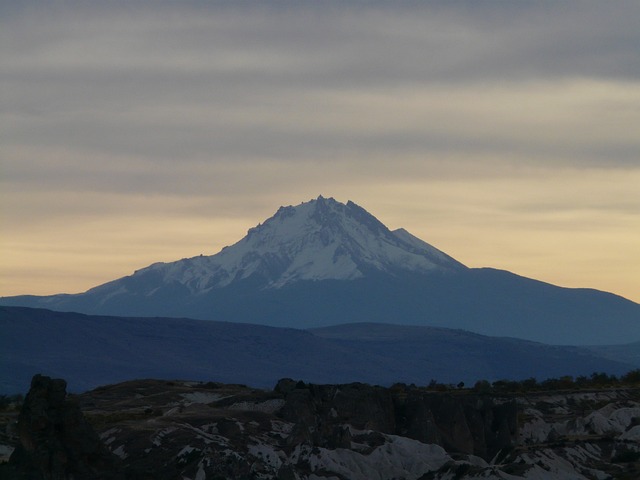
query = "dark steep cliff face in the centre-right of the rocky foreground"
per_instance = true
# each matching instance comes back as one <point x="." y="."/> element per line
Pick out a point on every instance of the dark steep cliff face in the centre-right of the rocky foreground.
<point x="464" y="423"/>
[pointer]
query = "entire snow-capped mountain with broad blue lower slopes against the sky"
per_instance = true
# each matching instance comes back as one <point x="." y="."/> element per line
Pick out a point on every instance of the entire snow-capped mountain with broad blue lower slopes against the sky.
<point x="325" y="263"/>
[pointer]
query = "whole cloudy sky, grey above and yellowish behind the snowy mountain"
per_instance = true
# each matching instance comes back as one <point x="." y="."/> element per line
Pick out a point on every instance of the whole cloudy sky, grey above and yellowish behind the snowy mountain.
<point x="506" y="134"/>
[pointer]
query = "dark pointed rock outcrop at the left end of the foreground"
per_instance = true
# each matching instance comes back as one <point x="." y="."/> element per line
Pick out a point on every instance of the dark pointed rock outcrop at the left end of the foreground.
<point x="56" y="442"/>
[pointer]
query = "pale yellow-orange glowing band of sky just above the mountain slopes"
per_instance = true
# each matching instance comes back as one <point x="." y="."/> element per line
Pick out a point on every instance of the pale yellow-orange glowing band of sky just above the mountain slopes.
<point x="572" y="248"/>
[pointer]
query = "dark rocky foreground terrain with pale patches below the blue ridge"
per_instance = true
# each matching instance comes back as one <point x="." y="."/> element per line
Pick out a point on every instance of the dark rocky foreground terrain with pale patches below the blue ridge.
<point x="152" y="429"/>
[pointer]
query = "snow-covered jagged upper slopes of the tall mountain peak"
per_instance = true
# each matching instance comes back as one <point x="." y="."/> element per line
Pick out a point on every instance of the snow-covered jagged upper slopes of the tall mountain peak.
<point x="316" y="240"/>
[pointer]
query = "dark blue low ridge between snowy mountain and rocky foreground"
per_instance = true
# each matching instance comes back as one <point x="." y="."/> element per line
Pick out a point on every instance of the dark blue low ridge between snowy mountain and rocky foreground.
<point x="91" y="350"/>
